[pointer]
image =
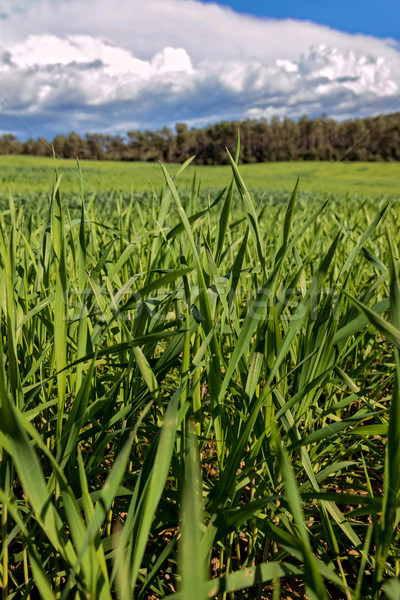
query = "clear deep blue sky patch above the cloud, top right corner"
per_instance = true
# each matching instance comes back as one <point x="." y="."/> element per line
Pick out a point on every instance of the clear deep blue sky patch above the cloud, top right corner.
<point x="380" y="19"/>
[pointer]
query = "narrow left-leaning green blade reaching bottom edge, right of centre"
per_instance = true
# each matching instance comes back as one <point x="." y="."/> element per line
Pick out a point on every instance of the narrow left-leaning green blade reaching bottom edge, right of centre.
<point x="313" y="579"/>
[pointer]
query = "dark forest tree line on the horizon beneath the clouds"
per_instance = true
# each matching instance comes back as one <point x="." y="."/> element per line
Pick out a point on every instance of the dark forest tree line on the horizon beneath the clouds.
<point x="369" y="139"/>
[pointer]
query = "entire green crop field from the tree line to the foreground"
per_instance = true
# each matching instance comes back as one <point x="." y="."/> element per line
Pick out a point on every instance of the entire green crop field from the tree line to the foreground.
<point x="199" y="390"/>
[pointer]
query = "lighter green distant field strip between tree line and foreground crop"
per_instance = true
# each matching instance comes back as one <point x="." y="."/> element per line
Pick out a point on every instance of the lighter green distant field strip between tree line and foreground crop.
<point x="24" y="174"/>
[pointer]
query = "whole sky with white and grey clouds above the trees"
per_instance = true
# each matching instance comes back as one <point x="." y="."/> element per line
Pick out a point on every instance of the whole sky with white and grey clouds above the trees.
<point x="112" y="66"/>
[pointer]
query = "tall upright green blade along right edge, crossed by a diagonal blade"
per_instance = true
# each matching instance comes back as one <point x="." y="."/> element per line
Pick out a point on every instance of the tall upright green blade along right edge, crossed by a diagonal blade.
<point x="392" y="459"/>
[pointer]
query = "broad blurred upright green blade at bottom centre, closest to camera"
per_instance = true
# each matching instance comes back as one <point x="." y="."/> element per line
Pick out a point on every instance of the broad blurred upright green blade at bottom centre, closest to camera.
<point x="191" y="563"/>
